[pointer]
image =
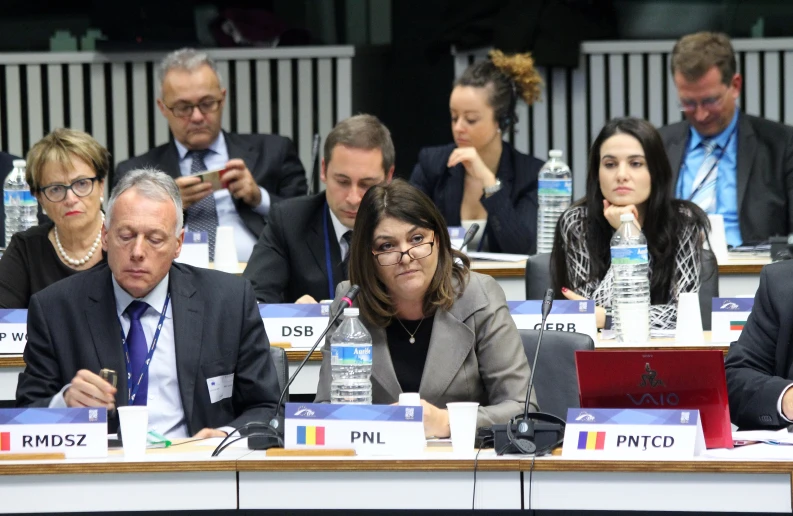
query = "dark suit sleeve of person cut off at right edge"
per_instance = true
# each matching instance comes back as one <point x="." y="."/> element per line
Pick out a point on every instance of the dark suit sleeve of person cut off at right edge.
<point x="759" y="364"/>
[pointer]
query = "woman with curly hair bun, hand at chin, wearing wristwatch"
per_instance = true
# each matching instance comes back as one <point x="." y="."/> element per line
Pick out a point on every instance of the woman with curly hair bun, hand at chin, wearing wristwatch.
<point x="480" y="177"/>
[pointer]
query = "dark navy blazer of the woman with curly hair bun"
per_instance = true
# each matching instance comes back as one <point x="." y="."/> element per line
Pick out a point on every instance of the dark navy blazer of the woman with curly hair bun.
<point x="511" y="212"/>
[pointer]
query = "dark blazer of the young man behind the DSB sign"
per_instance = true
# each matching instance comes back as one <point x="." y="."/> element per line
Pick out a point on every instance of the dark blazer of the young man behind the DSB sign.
<point x="288" y="261"/>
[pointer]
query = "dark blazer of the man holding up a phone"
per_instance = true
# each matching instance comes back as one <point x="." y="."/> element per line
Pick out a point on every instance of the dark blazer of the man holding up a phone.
<point x="271" y="159"/>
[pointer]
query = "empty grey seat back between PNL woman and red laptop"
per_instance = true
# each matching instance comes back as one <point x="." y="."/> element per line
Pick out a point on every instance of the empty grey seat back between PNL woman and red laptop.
<point x="556" y="381"/>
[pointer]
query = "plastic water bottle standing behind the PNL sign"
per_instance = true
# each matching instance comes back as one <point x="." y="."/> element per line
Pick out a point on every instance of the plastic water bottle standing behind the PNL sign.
<point x="351" y="361"/>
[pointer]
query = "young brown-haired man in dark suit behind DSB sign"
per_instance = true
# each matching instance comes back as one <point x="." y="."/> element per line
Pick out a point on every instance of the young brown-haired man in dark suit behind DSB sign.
<point x="300" y="257"/>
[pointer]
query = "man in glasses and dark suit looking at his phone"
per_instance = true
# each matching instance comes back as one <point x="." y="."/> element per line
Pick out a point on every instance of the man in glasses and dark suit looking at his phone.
<point x="260" y="169"/>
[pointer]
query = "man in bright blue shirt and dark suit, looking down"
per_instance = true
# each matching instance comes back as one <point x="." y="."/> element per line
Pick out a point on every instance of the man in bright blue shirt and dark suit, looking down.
<point x="728" y="162"/>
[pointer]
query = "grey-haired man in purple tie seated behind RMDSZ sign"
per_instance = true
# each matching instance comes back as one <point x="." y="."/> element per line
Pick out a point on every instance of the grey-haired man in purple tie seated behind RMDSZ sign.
<point x="187" y="342"/>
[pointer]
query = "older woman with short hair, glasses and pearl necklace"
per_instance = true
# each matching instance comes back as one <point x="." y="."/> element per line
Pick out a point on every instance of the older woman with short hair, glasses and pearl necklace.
<point x="66" y="172"/>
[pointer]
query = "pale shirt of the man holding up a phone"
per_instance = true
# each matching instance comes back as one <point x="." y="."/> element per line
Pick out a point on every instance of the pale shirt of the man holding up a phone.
<point x="216" y="158"/>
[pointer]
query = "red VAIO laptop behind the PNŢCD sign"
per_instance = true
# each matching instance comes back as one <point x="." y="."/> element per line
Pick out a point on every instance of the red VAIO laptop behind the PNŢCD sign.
<point x="674" y="379"/>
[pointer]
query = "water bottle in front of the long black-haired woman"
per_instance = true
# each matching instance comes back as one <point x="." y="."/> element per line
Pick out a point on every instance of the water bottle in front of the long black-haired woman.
<point x="631" y="296"/>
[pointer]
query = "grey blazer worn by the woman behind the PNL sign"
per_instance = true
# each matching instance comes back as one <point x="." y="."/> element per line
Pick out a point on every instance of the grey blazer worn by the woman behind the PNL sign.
<point x="475" y="354"/>
